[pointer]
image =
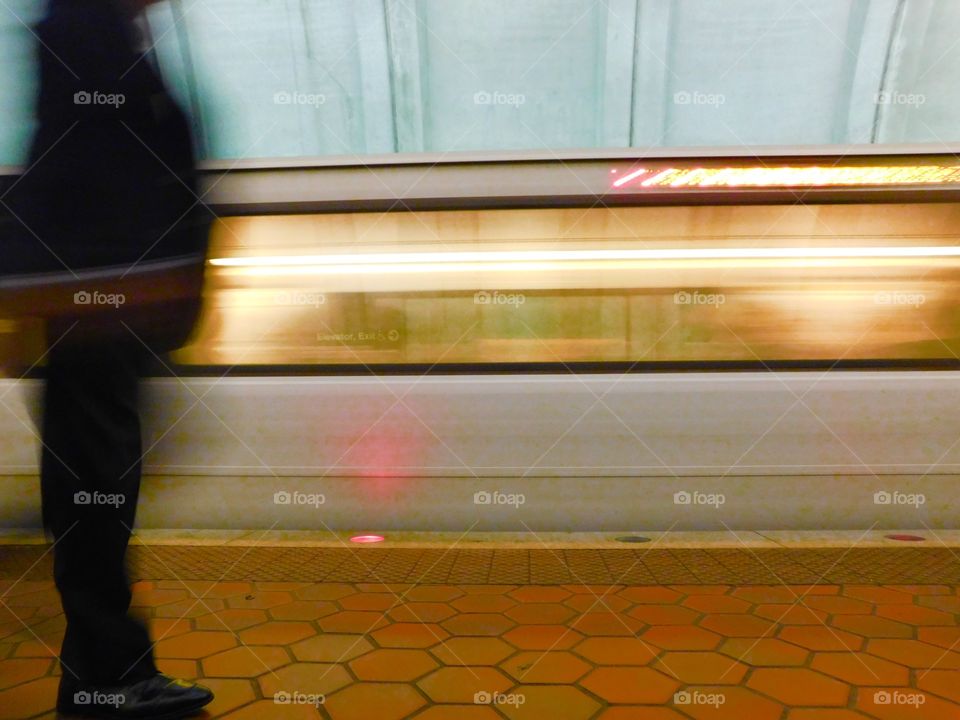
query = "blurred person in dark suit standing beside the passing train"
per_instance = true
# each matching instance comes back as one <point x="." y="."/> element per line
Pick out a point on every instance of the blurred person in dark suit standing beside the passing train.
<point x="109" y="182"/>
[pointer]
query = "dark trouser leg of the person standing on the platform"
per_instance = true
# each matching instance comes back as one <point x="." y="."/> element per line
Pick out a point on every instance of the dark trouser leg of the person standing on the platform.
<point x="90" y="480"/>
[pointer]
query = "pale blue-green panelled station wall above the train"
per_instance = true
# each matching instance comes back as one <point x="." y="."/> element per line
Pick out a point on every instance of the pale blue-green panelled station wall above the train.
<point x="304" y="78"/>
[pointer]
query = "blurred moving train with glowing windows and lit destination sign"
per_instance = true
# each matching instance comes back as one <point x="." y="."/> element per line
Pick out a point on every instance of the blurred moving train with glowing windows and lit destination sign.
<point x="602" y="336"/>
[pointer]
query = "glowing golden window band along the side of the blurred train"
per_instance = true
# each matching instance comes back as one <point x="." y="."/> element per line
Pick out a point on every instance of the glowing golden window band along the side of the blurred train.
<point x="669" y="284"/>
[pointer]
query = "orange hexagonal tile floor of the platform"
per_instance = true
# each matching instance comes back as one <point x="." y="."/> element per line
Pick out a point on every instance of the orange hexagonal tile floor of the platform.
<point x="578" y="652"/>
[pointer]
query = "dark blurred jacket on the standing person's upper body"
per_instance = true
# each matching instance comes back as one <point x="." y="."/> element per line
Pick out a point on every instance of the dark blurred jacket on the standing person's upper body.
<point x="111" y="174"/>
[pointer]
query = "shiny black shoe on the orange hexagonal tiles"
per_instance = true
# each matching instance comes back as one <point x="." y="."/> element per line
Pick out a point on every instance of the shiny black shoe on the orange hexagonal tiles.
<point x="156" y="698"/>
